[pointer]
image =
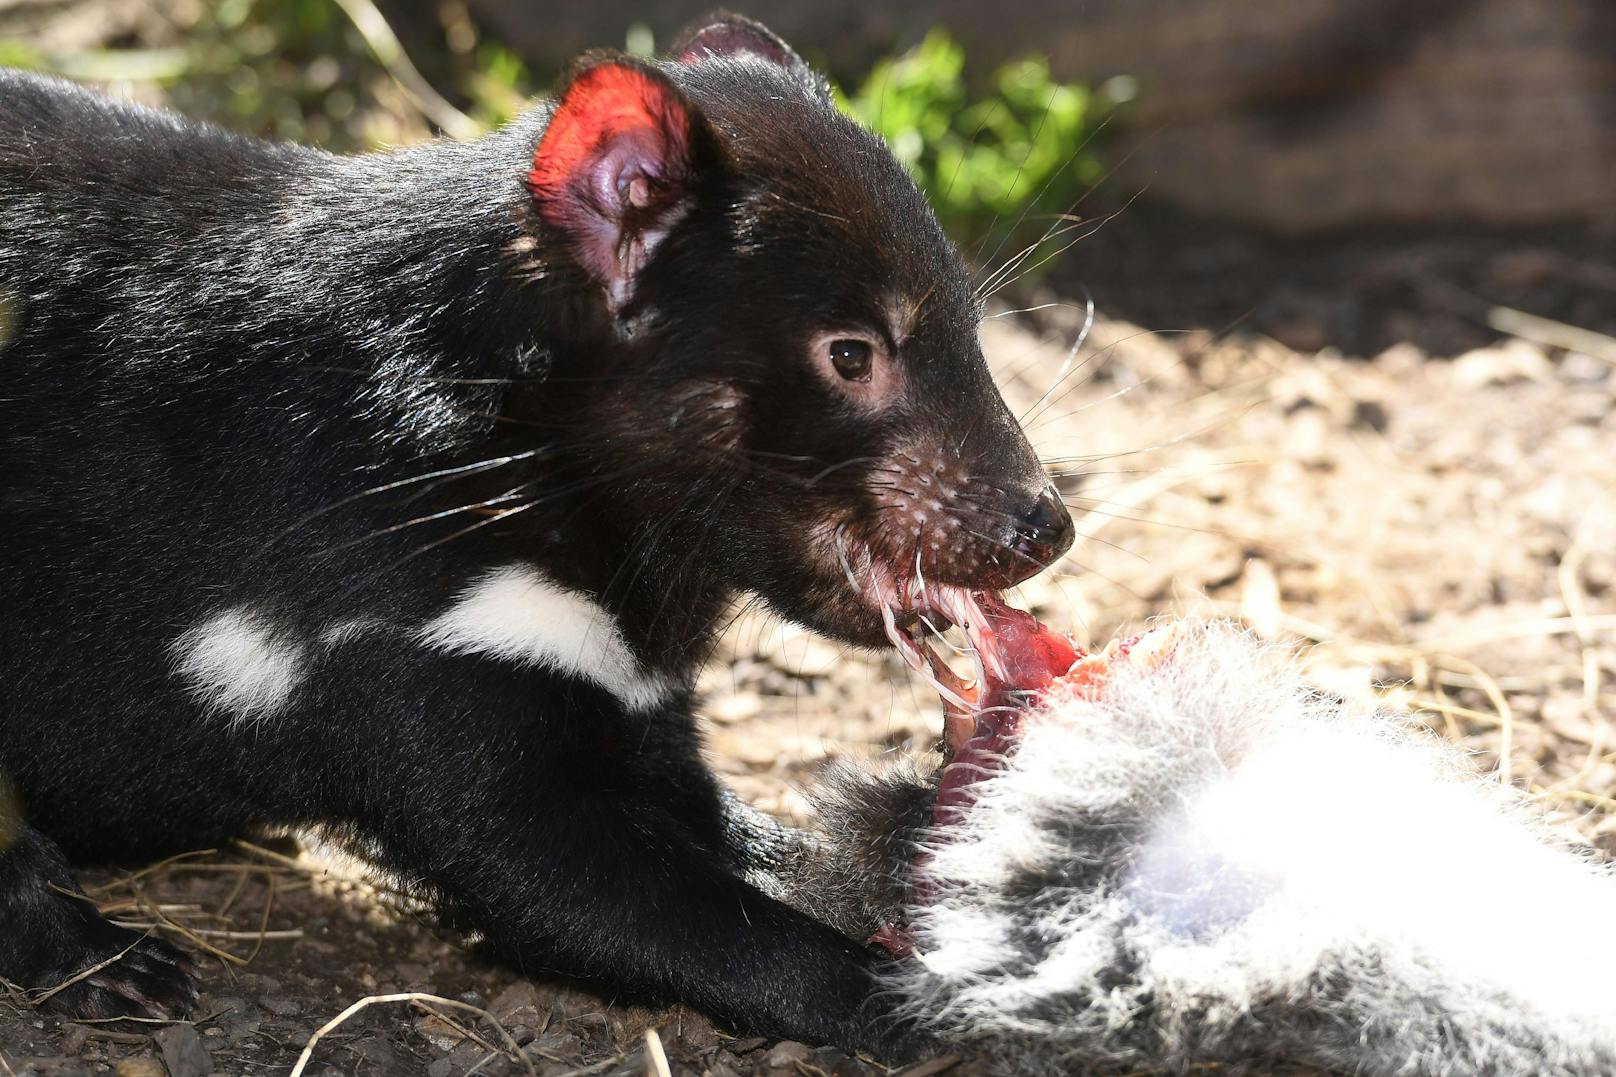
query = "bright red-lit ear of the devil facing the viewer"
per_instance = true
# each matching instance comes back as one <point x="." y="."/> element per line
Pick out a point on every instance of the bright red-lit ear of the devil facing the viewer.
<point x="617" y="167"/>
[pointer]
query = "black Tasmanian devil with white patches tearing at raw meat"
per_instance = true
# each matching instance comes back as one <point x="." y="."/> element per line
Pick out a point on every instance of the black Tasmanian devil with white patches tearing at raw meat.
<point x="402" y="496"/>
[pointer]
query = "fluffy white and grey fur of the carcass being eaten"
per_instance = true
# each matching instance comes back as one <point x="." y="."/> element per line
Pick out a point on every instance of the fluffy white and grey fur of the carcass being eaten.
<point x="1187" y="858"/>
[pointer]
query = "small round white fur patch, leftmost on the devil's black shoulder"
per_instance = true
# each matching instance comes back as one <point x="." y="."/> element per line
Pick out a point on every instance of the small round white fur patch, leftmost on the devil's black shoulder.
<point x="237" y="662"/>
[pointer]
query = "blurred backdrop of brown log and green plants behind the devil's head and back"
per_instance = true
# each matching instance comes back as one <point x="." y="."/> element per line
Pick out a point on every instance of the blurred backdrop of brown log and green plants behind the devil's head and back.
<point x="1274" y="148"/>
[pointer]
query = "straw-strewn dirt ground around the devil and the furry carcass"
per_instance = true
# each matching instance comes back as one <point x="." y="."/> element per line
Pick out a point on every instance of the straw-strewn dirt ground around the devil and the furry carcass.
<point x="1433" y="522"/>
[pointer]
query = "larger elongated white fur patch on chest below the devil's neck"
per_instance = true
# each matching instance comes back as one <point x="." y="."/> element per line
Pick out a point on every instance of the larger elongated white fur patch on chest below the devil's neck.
<point x="518" y="615"/>
